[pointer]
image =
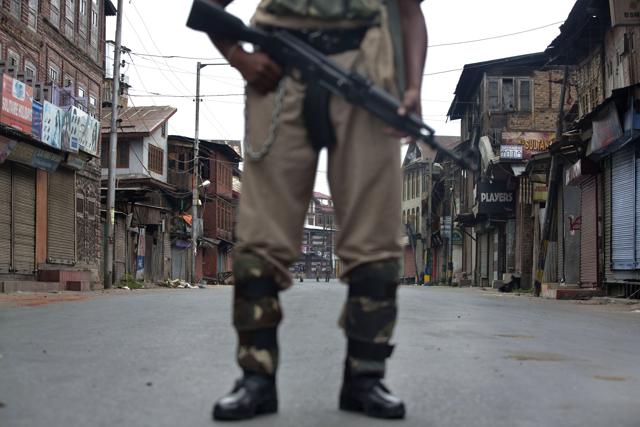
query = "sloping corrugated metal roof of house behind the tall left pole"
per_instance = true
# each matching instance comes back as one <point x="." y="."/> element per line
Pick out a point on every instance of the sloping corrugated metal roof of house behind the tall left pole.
<point x="138" y="120"/>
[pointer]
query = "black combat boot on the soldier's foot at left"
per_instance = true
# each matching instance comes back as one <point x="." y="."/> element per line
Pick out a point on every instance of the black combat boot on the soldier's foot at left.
<point x="253" y="394"/>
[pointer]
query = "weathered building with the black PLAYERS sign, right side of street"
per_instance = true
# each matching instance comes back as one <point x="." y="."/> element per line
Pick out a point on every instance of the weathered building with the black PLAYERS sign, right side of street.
<point x="508" y="109"/>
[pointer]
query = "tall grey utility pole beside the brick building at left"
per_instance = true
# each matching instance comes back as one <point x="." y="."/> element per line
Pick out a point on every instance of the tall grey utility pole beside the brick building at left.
<point x="113" y="150"/>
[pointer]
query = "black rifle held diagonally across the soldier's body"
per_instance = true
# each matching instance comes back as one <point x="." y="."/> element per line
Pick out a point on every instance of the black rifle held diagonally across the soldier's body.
<point x="298" y="58"/>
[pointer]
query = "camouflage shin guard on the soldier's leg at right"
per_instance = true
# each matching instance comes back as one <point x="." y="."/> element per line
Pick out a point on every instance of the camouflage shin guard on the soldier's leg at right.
<point x="369" y="316"/>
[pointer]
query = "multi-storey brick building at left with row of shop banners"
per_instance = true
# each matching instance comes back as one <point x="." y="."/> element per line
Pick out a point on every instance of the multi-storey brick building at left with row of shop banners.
<point x="51" y="58"/>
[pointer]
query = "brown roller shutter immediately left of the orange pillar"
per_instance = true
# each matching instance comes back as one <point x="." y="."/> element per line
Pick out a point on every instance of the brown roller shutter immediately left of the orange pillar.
<point x="24" y="219"/>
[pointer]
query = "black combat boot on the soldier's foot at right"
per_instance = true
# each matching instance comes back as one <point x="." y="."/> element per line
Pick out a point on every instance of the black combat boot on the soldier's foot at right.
<point x="368" y="394"/>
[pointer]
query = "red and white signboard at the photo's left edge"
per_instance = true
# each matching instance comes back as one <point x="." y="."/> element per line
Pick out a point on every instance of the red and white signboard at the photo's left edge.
<point x="17" y="99"/>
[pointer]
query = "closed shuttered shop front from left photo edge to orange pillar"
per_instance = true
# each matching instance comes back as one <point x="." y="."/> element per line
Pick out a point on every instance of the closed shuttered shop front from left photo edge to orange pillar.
<point x="17" y="219"/>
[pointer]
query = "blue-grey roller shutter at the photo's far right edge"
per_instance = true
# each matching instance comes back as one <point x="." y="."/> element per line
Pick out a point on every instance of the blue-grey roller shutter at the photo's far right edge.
<point x="623" y="209"/>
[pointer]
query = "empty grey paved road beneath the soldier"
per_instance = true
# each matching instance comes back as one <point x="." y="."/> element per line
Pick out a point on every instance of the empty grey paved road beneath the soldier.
<point x="465" y="358"/>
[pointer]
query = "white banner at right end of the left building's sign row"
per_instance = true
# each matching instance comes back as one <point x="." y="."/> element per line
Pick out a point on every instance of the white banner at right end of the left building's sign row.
<point x="80" y="131"/>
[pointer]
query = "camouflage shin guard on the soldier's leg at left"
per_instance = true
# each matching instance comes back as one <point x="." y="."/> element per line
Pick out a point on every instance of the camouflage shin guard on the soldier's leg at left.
<point x="256" y="314"/>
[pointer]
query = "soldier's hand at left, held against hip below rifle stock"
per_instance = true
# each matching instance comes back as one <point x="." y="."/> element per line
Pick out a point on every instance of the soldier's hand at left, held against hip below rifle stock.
<point x="258" y="70"/>
